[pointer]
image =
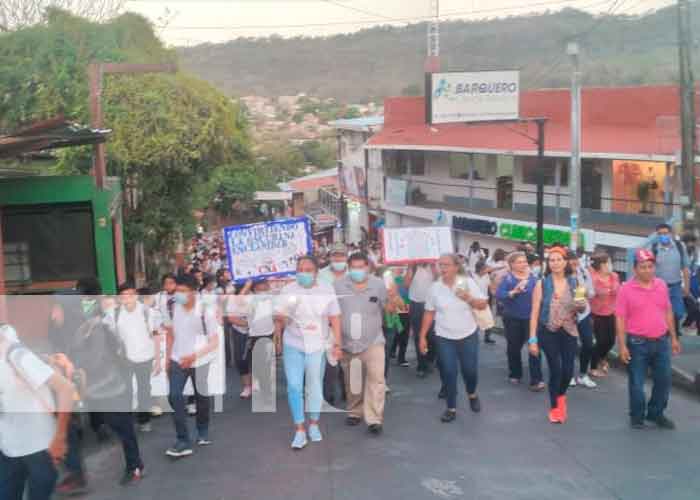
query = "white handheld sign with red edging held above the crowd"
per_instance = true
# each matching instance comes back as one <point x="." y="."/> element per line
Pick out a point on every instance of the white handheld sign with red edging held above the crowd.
<point x="404" y="245"/>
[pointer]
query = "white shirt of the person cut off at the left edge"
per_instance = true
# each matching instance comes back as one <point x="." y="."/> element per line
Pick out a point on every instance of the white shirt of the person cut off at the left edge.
<point x="27" y="425"/>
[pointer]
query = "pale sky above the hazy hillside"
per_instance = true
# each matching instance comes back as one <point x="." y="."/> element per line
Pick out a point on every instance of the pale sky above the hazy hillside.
<point x="189" y="22"/>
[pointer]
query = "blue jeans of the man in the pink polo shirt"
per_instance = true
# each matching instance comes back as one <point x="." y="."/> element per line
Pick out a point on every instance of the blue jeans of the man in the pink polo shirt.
<point x="654" y="354"/>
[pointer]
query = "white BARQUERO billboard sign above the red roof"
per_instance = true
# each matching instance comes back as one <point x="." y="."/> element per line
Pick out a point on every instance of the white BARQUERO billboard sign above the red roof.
<point x="478" y="96"/>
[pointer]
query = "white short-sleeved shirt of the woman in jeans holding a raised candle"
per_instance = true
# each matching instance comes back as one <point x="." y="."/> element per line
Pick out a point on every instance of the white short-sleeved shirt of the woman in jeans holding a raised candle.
<point x="453" y="316"/>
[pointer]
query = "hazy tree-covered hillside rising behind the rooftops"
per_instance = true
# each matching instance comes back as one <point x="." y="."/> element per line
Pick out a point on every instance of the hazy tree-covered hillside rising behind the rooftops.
<point x="382" y="61"/>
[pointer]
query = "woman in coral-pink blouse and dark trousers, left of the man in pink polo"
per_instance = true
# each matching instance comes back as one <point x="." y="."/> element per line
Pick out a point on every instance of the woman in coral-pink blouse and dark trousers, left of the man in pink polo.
<point x="606" y="283"/>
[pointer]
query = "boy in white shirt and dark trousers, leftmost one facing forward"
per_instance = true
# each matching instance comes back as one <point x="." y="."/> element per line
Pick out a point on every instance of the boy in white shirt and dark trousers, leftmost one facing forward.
<point x="137" y="327"/>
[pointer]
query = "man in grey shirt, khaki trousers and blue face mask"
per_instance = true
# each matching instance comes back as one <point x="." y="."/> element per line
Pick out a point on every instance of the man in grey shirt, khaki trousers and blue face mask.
<point x="363" y="301"/>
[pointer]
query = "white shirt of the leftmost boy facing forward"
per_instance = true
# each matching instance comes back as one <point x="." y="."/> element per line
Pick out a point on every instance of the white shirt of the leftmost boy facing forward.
<point x="136" y="334"/>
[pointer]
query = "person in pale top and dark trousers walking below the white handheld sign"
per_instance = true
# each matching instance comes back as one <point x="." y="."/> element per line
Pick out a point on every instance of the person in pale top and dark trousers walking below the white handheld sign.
<point x="419" y="280"/>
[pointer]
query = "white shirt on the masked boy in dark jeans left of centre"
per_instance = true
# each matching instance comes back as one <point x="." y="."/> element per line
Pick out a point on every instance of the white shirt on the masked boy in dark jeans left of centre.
<point x="188" y="332"/>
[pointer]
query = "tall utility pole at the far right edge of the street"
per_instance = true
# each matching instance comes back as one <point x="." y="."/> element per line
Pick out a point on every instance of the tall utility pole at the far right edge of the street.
<point x="687" y="95"/>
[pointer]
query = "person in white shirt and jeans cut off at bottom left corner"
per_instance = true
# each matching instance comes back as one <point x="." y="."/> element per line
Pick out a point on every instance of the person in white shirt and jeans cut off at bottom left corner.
<point x="32" y="439"/>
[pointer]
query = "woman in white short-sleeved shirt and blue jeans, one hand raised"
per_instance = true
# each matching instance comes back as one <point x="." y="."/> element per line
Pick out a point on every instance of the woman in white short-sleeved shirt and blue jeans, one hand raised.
<point x="450" y="303"/>
